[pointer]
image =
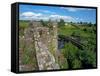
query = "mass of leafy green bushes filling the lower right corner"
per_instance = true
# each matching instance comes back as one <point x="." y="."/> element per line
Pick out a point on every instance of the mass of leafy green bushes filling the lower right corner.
<point x="77" y="58"/>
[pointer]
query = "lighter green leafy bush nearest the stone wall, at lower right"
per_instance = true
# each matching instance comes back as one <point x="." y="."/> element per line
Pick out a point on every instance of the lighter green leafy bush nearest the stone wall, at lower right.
<point x="70" y="53"/>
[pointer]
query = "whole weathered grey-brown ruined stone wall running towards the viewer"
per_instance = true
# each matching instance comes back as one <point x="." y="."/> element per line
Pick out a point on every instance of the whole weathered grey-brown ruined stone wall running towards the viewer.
<point x="45" y="44"/>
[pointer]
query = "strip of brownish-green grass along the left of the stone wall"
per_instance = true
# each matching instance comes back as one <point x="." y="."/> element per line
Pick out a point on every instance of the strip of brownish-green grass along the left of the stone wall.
<point x="28" y="55"/>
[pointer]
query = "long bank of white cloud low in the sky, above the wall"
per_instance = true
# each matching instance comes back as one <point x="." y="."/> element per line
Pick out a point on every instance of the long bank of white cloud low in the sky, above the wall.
<point x="39" y="16"/>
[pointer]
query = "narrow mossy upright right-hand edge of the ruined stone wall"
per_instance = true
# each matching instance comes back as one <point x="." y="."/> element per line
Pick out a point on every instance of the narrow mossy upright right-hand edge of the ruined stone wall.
<point x="54" y="39"/>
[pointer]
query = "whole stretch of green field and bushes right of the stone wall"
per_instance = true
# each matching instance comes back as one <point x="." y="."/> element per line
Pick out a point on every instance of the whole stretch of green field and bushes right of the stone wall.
<point x="76" y="57"/>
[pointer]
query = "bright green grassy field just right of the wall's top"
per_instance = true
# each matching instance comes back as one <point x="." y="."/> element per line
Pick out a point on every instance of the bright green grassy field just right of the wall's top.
<point x="68" y="30"/>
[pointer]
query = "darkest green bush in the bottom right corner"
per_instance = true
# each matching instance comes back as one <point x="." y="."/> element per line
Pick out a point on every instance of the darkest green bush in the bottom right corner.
<point x="88" y="58"/>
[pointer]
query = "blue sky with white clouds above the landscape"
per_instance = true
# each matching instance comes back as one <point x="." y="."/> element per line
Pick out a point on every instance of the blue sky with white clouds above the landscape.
<point x="37" y="12"/>
